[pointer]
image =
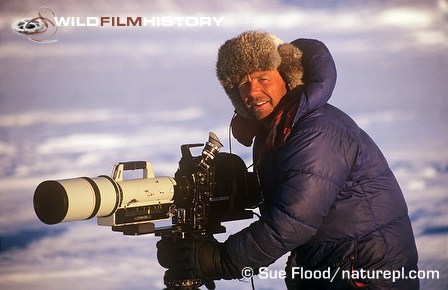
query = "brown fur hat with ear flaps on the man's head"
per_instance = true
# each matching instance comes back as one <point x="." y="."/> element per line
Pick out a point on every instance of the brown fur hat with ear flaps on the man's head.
<point x="254" y="51"/>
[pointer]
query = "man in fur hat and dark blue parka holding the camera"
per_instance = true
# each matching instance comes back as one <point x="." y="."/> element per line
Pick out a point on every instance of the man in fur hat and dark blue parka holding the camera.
<point x="330" y="198"/>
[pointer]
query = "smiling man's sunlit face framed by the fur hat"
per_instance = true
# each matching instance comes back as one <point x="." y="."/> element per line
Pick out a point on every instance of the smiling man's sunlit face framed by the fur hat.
<point x="261" y="92"/>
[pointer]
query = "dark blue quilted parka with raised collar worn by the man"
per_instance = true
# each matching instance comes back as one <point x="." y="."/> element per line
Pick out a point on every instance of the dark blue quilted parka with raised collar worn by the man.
<point x="330" y="198"/>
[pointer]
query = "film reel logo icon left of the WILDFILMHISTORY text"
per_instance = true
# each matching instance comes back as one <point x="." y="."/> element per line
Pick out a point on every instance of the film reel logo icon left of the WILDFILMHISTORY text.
<point x="37" y="29"/>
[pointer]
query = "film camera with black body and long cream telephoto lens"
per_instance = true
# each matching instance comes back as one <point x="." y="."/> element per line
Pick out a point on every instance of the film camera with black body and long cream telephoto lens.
<point x="206" y="190"/>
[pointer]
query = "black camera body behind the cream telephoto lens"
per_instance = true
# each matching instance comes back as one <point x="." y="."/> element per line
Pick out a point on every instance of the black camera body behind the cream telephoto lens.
<point x="206" y="197"/>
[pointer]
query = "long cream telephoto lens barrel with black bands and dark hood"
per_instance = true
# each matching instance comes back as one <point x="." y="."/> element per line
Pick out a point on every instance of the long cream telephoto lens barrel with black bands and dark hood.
<point x="82" y="198"/>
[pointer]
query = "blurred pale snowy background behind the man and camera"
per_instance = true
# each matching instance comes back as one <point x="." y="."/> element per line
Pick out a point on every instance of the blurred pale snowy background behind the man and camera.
<point x="104" y="94"/>
